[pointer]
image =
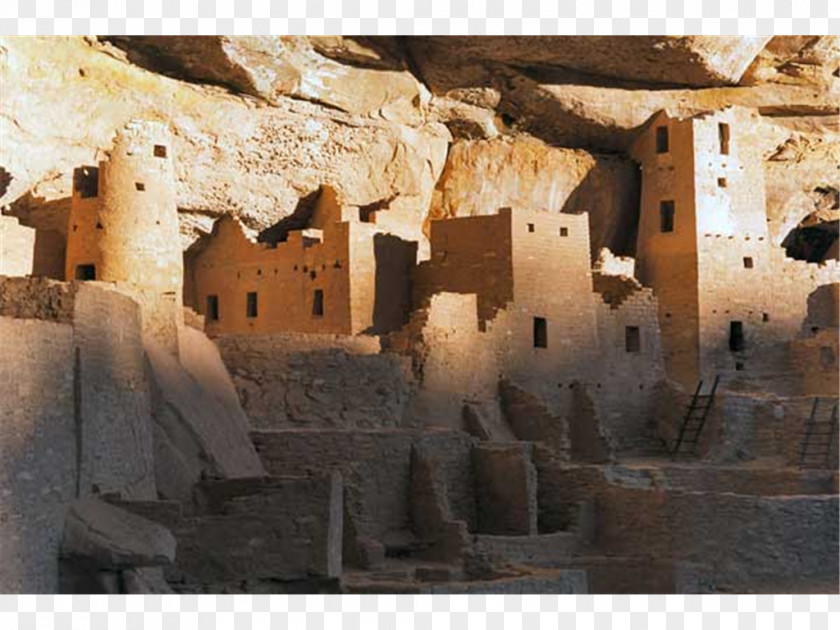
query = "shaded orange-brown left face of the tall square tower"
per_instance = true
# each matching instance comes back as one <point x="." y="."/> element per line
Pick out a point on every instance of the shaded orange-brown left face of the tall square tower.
<point x="667" y="261"/>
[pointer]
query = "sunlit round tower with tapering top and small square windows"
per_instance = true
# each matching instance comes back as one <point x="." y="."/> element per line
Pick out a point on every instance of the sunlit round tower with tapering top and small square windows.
<point x="124" y="227"/>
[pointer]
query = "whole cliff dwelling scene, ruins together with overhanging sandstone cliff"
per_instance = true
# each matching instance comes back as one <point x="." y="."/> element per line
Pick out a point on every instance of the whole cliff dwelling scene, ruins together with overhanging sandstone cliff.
<point x="385" y="337"/>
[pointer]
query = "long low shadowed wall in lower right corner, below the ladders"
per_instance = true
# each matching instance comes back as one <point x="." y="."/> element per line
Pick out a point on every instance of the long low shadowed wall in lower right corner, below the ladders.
<point x="634" y="517"/>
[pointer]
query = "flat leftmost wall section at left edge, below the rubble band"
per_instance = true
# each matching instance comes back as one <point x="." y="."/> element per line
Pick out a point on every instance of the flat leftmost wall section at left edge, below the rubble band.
<point x="38" y="455"/>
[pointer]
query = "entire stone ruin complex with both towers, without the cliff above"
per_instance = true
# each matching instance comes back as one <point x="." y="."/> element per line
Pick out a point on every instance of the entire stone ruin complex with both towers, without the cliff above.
<point x="335" y="407"/>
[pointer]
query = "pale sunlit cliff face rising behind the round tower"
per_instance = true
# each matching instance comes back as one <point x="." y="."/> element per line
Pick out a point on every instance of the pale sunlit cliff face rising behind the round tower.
<point x="233" y="154"/>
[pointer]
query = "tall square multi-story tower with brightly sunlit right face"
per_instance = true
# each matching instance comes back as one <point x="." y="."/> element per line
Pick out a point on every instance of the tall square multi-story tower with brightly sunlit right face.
<point x="728" y="299"/>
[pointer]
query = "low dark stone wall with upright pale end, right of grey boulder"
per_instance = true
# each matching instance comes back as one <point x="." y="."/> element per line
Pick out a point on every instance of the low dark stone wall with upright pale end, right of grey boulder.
<point x="268" y="528"/>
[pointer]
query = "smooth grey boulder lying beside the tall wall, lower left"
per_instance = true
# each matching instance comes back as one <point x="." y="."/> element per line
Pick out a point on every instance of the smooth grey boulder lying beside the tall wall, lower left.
<point x="111" y="538"/>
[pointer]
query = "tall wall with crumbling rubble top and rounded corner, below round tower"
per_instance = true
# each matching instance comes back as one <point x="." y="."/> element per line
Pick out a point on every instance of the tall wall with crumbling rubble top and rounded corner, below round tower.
<point x="76" y="417"/>
